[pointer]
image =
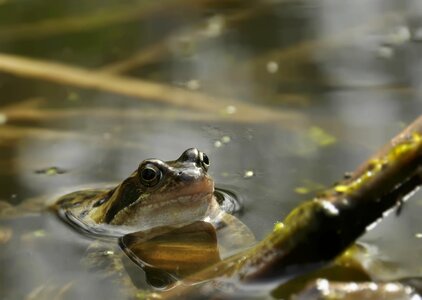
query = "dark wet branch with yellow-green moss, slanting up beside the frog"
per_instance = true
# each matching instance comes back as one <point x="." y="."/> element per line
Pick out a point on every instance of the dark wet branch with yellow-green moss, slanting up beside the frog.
<point x="318" y="230"/>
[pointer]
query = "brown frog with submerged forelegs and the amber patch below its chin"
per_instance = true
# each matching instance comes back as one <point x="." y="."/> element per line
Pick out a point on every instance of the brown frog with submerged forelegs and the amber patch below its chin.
<point x="156" y="199"/>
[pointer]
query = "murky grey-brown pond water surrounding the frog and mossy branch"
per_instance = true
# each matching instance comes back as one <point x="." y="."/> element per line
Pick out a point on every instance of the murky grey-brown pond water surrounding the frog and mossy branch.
<point x="283" y="96"/>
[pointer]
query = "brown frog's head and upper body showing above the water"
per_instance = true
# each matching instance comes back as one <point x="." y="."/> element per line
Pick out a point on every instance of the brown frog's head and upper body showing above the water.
<point x="156" y="197"/>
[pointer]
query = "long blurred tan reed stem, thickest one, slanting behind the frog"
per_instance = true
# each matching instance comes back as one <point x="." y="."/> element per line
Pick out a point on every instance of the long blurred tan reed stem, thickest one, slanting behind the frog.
<point x="142" y="90"/>
